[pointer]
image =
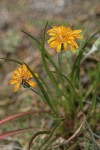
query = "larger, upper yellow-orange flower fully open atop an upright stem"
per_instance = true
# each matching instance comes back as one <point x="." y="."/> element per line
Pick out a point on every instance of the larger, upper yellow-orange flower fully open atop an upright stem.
<point x="62" y="37"/>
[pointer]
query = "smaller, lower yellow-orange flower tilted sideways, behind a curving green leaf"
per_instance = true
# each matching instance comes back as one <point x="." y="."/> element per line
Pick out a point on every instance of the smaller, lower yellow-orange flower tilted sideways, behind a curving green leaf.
<point x="22" y="76"/>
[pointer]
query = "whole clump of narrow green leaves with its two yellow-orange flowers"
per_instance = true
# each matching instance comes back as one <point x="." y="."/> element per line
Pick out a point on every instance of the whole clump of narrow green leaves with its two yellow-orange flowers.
<point x="74" y="106"/>
